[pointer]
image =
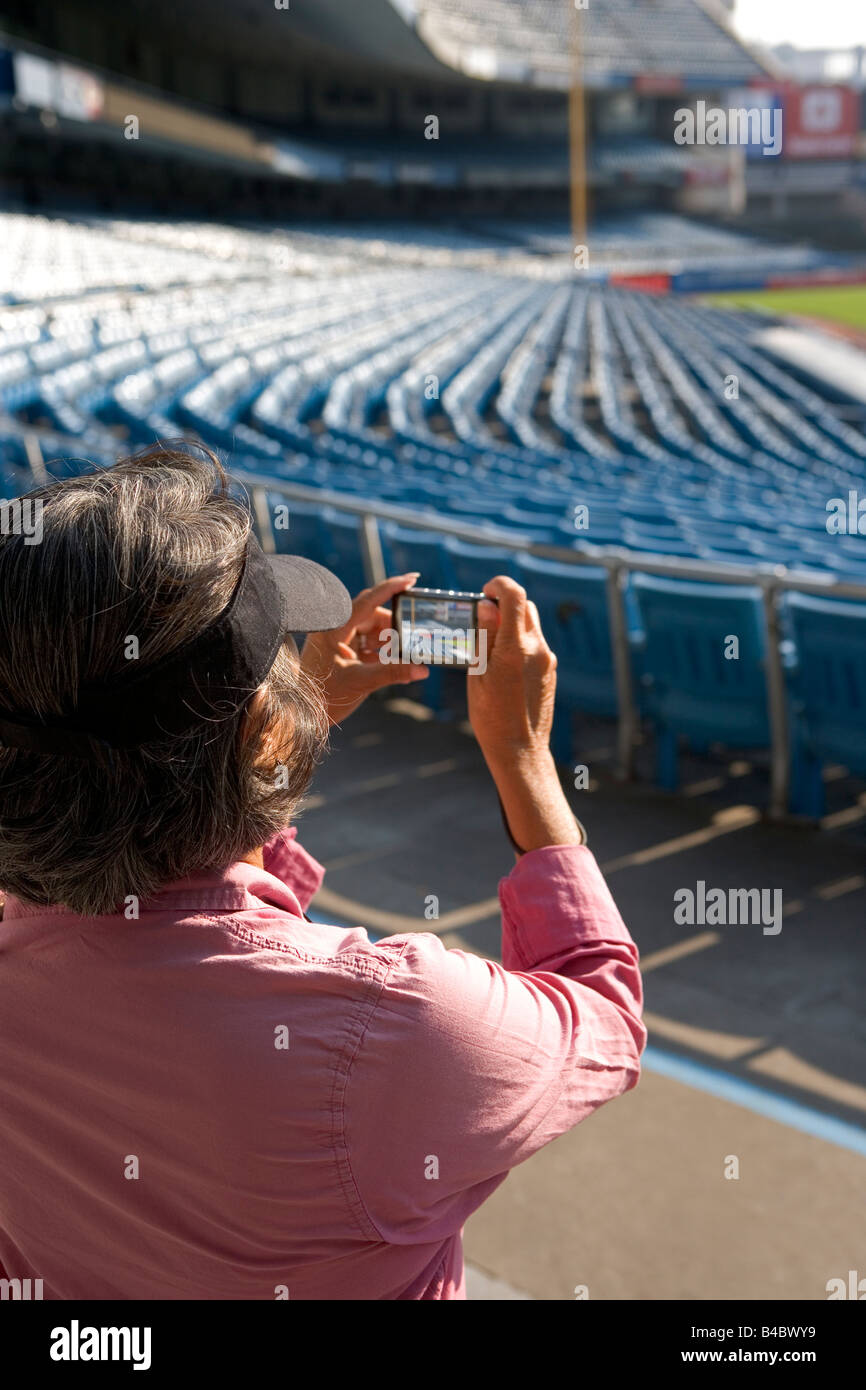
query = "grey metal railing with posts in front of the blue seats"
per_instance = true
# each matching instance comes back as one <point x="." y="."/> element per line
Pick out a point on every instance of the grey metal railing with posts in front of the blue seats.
<point x="772" y="580"/>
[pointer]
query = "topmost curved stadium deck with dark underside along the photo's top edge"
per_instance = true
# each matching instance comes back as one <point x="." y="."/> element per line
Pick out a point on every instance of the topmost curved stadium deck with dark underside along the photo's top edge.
<point x="511" y="41"/>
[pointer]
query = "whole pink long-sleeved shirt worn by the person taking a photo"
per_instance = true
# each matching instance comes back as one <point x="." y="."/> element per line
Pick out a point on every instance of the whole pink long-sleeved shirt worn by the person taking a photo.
<point x="338" y="1160"/>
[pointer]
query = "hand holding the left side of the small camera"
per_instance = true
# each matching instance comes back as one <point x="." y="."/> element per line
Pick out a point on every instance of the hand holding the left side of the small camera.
<point x="347" y="661"/>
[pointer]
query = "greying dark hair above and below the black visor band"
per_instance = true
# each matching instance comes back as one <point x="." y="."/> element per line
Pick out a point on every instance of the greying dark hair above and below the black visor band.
<point x="152" y="547"/>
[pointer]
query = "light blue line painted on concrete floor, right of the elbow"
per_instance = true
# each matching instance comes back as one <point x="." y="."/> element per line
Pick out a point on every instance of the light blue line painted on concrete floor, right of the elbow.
<point x="755" y="1099"/>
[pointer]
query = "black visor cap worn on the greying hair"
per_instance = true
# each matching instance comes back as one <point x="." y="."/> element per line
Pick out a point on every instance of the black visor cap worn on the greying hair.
<point x="212" y="676"/>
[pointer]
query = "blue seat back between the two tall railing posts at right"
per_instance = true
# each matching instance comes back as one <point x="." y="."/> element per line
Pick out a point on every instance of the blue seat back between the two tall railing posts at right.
<point x="689" y="687"/>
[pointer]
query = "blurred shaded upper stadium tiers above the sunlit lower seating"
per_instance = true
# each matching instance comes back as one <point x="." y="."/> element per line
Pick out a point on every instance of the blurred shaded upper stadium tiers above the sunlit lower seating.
<point x="280" y="111"/>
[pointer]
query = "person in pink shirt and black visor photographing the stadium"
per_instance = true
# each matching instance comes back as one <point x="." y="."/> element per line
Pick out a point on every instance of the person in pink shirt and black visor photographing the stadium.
<point x="206" y="1096"/>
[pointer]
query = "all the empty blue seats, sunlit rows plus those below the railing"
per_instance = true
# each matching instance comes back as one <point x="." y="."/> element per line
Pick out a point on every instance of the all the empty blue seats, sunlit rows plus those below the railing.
<point x="530" y="408"/>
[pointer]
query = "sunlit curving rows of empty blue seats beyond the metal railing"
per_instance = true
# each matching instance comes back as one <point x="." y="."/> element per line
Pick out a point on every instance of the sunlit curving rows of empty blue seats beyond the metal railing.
<point x="489" y="394"/>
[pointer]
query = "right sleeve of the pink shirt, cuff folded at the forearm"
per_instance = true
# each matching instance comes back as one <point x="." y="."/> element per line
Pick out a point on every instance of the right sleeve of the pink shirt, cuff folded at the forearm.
<point x="469" y="1067"/>
